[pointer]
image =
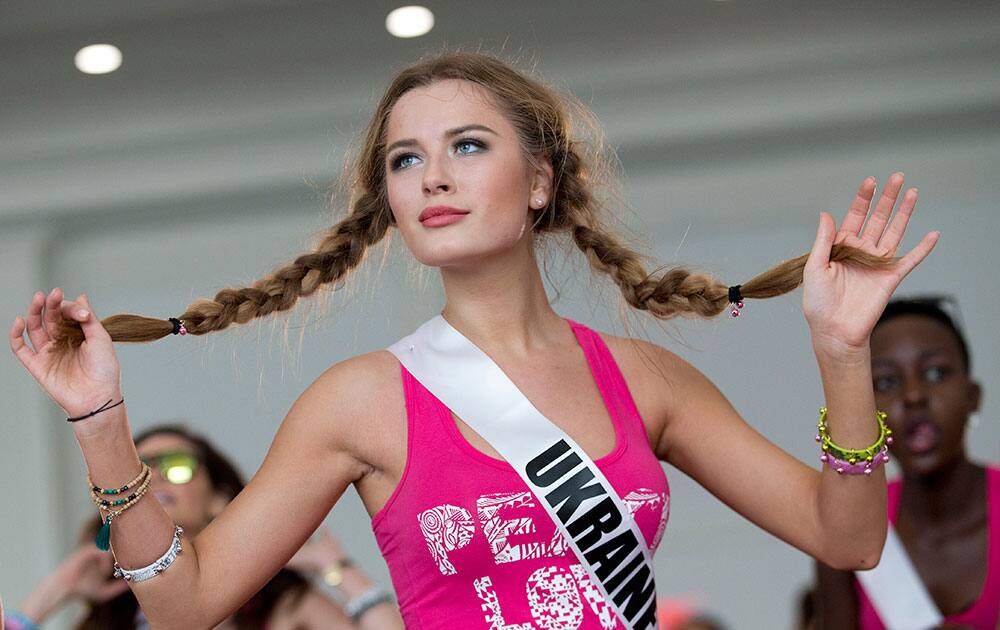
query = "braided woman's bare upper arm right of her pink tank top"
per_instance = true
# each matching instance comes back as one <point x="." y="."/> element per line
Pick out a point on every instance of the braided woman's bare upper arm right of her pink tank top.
<point x="704" y="436"/>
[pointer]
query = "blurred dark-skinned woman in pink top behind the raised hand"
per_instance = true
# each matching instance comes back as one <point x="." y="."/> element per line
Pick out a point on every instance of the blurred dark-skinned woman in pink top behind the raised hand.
<point x="946" y="508"/>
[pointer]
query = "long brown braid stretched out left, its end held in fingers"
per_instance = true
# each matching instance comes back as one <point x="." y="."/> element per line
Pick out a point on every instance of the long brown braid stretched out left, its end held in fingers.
<point x="341" y="250"/>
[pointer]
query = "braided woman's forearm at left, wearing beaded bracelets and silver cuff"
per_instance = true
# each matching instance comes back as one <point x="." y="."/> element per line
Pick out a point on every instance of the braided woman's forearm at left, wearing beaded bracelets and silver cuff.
<point x="143" y="532"/>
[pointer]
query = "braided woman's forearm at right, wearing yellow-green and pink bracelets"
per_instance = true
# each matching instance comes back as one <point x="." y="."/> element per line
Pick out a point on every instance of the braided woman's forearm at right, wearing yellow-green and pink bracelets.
<point x="851" y="509"/>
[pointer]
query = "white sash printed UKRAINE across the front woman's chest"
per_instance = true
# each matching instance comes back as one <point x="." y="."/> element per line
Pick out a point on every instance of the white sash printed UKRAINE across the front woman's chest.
<point x="566" y="482"/>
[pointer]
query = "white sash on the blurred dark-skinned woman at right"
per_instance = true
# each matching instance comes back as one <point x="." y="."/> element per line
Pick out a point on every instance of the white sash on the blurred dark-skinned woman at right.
<point x="895" y="589"/>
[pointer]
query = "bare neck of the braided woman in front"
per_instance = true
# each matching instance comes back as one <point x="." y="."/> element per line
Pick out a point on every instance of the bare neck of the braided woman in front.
<point x="501" y="303"/>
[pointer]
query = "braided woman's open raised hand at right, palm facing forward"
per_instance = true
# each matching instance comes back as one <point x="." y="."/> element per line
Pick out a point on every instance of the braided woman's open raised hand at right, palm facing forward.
<point x="842" y="302"/>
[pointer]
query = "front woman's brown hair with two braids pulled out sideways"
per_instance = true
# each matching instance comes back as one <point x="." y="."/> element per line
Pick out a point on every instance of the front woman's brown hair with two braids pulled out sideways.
<point x="543" y="122"/>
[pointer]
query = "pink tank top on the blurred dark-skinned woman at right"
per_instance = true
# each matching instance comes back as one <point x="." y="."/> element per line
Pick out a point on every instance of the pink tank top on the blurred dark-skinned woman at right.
<point x="985" y="612"/>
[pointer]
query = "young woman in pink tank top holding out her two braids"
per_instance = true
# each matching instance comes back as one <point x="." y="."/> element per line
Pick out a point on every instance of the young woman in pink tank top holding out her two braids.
<point x="474" y="163"/>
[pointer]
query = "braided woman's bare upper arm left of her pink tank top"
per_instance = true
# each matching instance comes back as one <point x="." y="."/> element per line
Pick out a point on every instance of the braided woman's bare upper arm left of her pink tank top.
<point x="307" y="468"/>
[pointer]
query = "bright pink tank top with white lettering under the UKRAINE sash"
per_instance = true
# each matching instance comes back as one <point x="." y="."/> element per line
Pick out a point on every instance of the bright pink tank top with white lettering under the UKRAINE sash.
<point x="467" y="544"/>
